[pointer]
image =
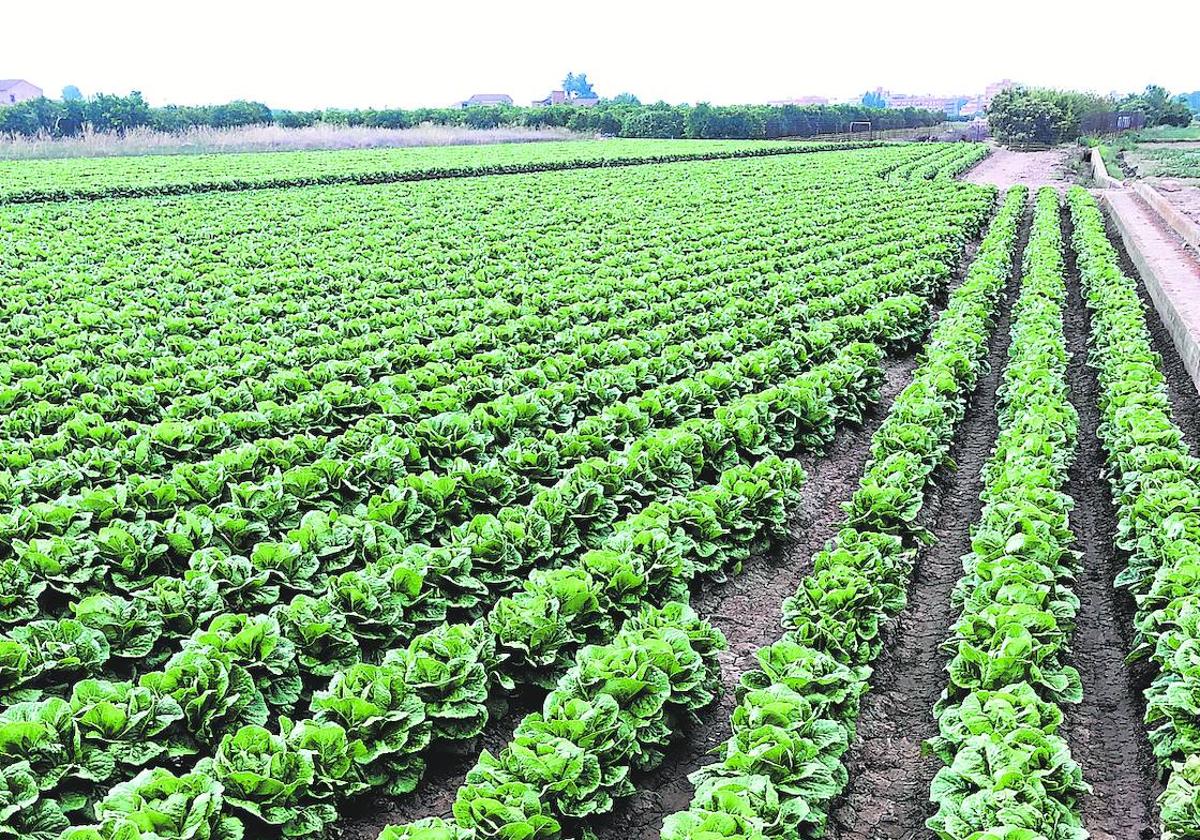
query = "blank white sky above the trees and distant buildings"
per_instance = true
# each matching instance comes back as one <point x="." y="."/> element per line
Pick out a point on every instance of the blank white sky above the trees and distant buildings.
<point x="303" y="55"/>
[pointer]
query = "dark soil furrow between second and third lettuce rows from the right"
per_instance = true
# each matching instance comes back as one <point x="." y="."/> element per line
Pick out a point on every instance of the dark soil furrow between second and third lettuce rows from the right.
<point x="890" y="778"/>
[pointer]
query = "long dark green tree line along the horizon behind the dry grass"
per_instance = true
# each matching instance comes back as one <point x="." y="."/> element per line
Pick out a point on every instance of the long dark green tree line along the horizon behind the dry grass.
<point x="623" y="117"/>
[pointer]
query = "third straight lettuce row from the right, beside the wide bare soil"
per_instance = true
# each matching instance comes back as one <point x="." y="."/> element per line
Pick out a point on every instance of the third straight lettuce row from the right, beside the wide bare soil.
<point x="782" y="767"/>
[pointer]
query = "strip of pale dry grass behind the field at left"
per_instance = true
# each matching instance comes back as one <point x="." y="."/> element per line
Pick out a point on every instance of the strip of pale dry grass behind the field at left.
<point x="267" y="139"/>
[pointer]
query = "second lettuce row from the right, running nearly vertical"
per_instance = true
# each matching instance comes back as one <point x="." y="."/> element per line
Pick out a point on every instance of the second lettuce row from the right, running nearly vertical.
<point x="1009" y="772"/>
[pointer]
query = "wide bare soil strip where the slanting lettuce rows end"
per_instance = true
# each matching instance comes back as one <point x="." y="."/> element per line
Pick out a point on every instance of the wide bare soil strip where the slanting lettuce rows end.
<point x="748" y="611"/>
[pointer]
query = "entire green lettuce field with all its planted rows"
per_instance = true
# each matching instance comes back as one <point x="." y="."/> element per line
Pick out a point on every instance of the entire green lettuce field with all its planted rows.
<point x="591" y="490"/>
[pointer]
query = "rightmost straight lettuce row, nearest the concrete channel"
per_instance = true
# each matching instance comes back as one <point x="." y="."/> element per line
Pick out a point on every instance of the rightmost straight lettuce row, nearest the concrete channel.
<point x="1156" y="490"/>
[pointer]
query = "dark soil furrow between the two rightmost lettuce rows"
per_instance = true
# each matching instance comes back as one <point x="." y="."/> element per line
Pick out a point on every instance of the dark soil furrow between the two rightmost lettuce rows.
<point x="1106" y="733"/>
